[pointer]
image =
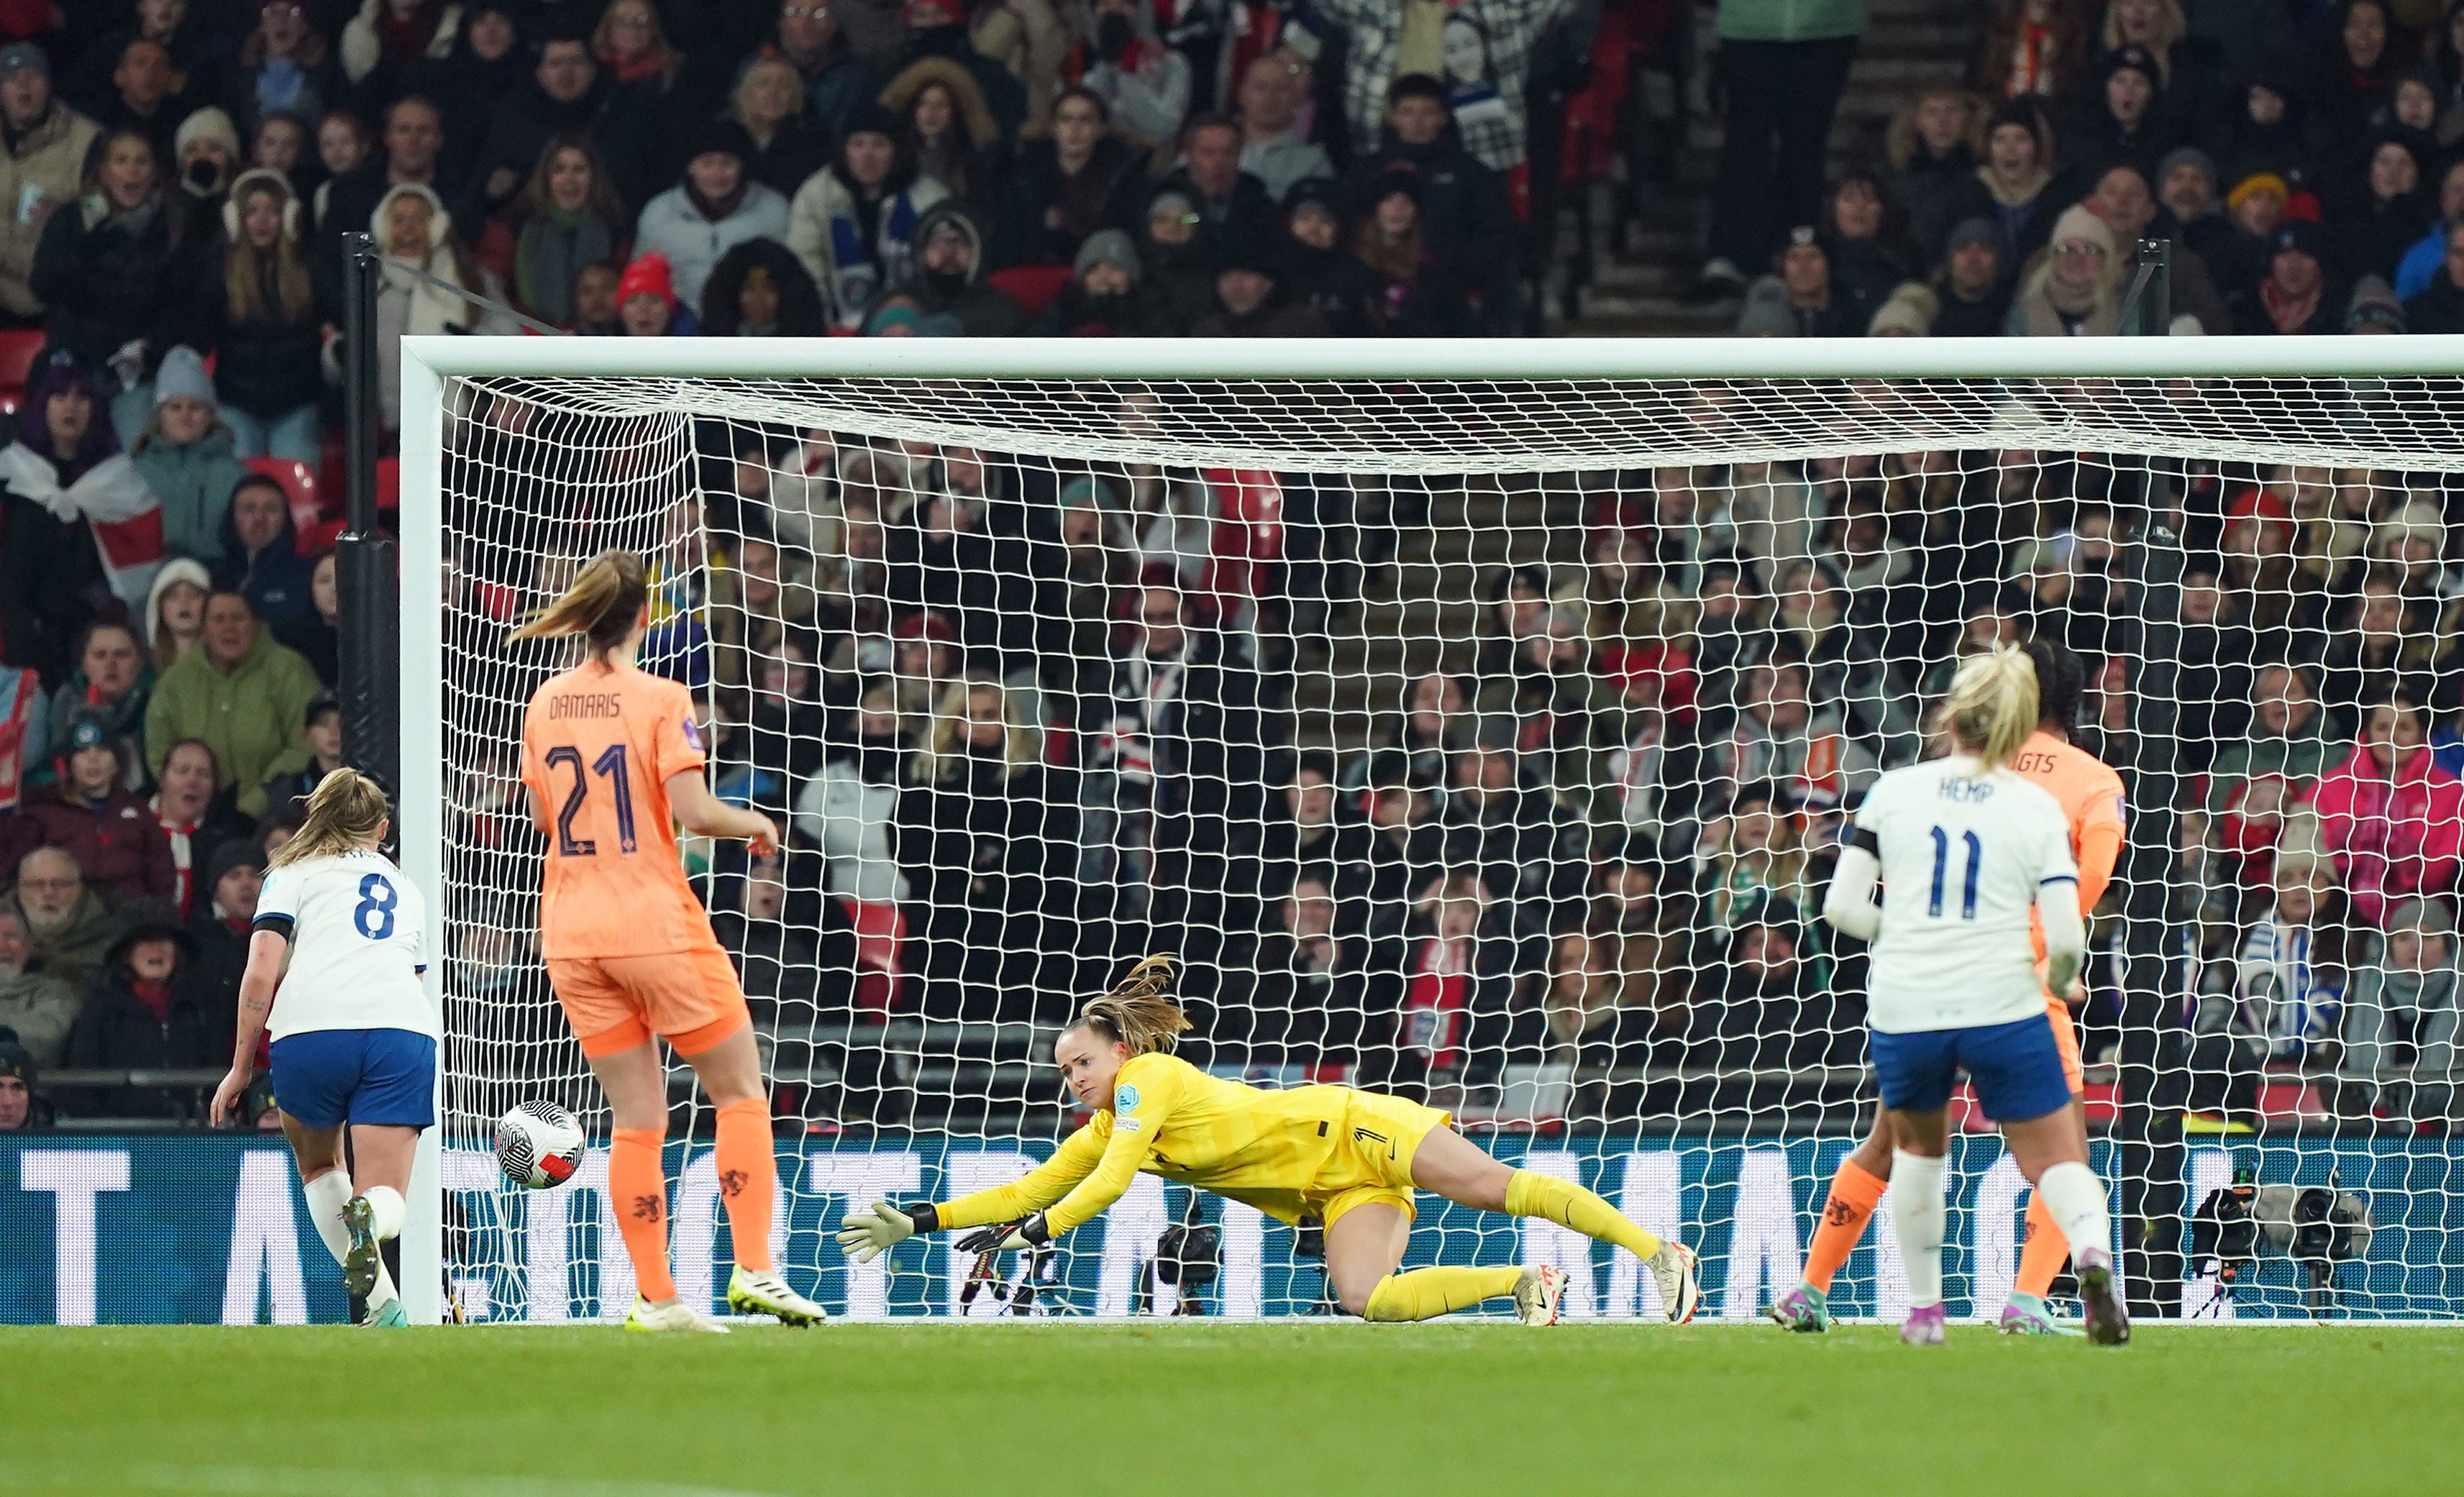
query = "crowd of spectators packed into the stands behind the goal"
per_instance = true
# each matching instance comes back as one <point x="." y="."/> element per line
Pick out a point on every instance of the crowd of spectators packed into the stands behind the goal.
<point x="1021" y="718"/>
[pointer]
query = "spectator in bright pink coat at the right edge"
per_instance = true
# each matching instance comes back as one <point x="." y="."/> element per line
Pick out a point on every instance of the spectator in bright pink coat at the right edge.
<point x="2391" y="819"/>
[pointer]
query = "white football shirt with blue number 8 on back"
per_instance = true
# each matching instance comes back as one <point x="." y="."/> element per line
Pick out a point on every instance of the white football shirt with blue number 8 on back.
<point x="359" y="939"/>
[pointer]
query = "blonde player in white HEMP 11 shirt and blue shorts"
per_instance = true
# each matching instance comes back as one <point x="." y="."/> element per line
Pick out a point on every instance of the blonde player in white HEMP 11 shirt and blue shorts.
<point x="1965" y="848"/>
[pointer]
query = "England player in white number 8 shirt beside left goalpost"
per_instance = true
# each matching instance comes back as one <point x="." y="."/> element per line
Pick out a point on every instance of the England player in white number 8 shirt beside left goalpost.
<point x="354" y="1030"/>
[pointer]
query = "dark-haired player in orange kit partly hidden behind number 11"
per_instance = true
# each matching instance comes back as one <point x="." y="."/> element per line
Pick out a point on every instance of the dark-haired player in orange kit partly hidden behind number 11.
<point x="2091" y="797"/>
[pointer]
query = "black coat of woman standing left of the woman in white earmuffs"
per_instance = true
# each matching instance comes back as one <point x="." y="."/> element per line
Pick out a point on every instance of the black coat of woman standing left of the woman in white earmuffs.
<point x="110" y="277"/>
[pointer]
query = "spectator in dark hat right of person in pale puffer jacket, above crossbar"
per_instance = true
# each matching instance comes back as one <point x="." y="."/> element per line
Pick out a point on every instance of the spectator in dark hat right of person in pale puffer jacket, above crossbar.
<point x="854" y="223"/>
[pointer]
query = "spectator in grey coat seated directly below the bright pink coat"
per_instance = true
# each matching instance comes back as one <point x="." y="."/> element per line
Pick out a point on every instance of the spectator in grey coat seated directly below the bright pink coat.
<point x="2401" y="1023"/>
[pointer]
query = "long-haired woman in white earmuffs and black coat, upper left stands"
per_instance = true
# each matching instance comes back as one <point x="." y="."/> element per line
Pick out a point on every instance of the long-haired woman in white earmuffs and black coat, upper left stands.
<point x="267" y="329"/>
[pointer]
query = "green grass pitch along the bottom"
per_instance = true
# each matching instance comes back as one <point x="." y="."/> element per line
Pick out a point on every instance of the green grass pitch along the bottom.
<point x="1258" y="1410"/>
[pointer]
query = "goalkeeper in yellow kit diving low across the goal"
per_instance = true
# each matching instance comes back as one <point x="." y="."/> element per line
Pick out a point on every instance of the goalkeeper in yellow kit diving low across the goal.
<point x="1332" y="1154"/>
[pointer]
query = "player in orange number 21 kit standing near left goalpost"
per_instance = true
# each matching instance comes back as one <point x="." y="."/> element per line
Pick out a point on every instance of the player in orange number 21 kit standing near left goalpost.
<point x="615" y="762"/>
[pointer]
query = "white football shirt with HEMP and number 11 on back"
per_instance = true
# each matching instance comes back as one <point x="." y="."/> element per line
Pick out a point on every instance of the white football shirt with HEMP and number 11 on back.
<point x="1963" y="863"/>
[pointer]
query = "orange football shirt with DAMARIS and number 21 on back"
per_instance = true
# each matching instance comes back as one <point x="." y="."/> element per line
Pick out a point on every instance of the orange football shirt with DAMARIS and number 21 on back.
<point x="600" y="745"/>
